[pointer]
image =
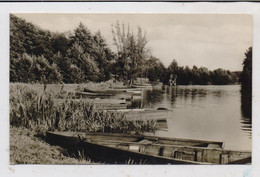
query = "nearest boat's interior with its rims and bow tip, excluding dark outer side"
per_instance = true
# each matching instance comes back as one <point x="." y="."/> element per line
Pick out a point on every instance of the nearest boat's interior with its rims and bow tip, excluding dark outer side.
<point x="181" y="150"/>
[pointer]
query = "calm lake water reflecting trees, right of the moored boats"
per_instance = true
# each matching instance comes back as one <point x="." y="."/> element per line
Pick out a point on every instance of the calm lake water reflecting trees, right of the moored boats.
<point x="204" y="112"/>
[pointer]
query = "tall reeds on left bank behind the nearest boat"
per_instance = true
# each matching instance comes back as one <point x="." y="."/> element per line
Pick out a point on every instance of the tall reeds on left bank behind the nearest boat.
<point x="37" y="110"/>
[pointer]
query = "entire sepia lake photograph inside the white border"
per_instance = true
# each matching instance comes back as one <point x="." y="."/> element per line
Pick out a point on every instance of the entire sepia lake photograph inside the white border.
<point x="130" y="88"/>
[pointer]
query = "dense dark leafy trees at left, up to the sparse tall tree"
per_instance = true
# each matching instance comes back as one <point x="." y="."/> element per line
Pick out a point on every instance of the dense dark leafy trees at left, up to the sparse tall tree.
<point x="39" y="56"/>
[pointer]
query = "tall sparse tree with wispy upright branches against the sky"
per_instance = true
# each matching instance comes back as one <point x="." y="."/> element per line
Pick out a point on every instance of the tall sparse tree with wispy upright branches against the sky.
<point x="131" y="52"/>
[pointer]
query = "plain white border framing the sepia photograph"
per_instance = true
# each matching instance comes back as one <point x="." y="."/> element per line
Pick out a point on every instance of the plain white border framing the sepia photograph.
<point x="124" y="170"/>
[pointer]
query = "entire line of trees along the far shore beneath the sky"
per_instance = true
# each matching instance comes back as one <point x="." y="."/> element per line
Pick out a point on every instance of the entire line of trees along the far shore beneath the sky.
<point x="41" y="56"/>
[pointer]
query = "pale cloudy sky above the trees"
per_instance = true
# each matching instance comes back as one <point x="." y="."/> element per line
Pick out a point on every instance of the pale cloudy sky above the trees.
<point x="209" y="40"/>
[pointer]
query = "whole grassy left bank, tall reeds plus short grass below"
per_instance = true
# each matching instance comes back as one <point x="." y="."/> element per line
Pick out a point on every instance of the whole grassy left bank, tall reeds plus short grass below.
<point x="33" y="111"/>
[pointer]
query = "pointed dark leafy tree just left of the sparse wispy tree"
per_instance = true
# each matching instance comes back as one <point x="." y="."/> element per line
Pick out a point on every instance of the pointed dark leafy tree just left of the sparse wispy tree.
<point x="94" y="50"/>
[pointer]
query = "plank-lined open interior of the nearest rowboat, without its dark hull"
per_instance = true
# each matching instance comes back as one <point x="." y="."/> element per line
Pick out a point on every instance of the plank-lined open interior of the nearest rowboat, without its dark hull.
<point x="193" y="152"/>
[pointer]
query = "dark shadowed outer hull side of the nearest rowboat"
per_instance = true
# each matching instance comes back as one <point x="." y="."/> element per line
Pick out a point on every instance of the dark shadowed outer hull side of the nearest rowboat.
<point x="106" y="154"/>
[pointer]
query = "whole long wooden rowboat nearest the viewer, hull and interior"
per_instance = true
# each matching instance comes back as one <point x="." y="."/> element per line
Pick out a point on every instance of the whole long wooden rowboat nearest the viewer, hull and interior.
<point x="119" y="148"/>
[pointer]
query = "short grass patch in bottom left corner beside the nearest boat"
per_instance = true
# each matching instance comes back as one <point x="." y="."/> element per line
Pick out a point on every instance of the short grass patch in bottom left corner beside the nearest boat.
<point x="27" y="147"/>
